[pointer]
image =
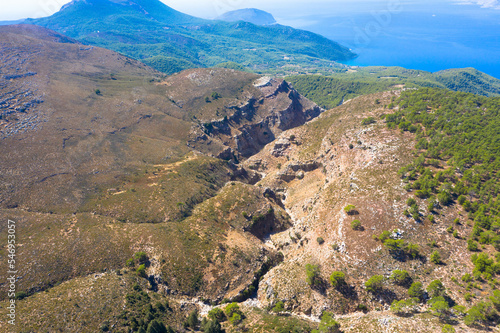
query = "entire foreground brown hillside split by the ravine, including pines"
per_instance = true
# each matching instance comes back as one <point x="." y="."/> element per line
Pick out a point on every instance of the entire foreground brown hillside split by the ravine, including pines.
<point x="145" y="202"/>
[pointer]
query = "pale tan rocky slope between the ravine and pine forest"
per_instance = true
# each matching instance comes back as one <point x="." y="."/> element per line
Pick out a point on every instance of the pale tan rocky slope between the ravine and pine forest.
<point x="320" y="168"/>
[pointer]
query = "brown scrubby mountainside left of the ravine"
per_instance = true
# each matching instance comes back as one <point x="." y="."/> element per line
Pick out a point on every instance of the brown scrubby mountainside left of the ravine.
<point x="119" y="145"/>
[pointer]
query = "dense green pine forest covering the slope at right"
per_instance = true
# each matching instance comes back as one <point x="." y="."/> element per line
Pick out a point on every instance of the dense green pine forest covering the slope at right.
<point x="460" y="131"/>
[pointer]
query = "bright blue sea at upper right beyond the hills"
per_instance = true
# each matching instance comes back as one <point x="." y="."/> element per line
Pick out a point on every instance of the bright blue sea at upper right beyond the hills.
<point x="430" y="36"/>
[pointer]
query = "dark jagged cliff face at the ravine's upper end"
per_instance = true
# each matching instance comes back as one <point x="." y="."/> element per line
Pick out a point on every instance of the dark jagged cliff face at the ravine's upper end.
<point x="274" y="107"/>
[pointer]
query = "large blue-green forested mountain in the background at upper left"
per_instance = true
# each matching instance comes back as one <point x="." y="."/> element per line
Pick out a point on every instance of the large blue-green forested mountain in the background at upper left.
<point x="152" y="32"/>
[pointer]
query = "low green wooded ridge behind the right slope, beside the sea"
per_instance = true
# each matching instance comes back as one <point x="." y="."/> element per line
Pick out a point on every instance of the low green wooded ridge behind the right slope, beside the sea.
<point x="332" y="89"/>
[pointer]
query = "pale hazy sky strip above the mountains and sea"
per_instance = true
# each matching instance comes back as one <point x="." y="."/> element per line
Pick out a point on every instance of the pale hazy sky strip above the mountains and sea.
<point x="17" y="9"/>
